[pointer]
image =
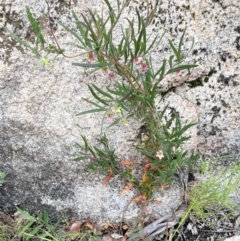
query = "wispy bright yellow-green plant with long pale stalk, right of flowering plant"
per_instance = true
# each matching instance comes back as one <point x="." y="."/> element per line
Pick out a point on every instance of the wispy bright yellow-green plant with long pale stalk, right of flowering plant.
<point x="213" y="193"/>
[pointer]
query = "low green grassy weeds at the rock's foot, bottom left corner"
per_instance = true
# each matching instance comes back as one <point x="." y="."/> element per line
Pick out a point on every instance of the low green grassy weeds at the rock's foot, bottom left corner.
<point x="26" y="227"/>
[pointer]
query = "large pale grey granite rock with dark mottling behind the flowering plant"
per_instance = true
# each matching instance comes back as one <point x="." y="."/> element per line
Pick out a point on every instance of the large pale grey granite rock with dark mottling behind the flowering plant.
<point x="38" y="105"/>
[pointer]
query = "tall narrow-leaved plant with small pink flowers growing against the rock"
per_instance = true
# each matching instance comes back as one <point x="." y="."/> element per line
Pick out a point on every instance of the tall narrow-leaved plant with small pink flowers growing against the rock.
<point x="130" y="95"/>
